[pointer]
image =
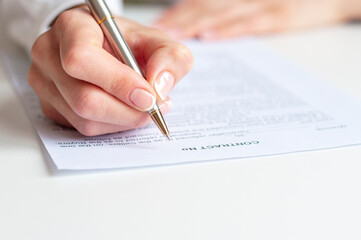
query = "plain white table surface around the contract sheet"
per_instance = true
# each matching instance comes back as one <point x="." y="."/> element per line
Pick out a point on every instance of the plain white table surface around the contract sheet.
<point x="310" y="195"/>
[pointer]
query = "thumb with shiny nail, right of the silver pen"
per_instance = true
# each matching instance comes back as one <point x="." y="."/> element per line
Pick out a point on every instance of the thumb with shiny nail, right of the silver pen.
<point x="163" y="60"/>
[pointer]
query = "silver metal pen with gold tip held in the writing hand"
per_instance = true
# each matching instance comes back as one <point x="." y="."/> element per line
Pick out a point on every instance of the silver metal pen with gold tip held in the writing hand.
<point x="103" y="16"/>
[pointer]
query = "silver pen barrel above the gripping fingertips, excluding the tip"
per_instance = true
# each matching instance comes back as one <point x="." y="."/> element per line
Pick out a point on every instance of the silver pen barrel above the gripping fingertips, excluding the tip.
<point x="103" y="16"/>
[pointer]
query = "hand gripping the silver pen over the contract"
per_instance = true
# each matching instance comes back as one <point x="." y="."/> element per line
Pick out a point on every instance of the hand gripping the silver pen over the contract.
<point x="81" y="84"/>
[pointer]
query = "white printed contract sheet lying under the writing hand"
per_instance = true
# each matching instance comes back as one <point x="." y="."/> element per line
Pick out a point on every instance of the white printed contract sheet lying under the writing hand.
<point x="240" y="100"/>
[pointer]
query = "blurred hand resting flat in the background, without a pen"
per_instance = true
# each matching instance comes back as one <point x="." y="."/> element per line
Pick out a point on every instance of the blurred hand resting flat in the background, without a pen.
<point x="215" y="19"/>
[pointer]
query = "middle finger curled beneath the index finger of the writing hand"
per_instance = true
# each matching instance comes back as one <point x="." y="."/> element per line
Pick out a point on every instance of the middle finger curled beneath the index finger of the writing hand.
<point x="86" y="100"/>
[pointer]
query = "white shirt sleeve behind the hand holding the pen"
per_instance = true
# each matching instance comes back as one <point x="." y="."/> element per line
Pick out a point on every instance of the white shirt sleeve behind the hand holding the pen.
<point x="27" y="19"/>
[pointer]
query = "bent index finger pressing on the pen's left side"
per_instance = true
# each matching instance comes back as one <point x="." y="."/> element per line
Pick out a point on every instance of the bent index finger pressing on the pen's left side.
<point x="83" y="57"/>
